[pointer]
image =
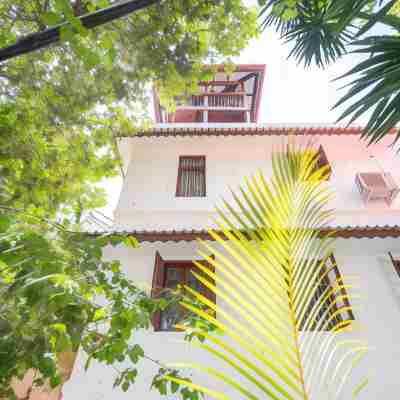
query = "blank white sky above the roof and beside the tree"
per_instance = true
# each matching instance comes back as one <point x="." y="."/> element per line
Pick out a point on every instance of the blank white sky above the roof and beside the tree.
<point x="291" y="94"/>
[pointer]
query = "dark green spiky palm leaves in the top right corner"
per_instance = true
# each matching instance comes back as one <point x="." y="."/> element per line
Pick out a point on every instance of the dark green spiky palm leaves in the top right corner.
<point x="322" y="31"/>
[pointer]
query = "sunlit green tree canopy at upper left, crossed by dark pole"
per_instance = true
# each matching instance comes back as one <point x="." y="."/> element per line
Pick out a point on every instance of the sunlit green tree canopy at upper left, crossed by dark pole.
<point x="61" y="107"/>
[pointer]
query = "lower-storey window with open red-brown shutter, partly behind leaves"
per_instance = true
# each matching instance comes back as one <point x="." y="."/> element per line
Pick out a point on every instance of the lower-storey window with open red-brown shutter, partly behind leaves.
<point x="168" y="275"/>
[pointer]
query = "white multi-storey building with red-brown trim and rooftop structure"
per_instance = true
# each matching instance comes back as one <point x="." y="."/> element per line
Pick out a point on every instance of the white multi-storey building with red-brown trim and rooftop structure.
<point x="177" y="172"/>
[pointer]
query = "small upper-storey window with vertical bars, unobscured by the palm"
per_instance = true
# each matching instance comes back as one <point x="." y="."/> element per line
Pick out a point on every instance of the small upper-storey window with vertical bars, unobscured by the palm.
<point x="191" y="176"/>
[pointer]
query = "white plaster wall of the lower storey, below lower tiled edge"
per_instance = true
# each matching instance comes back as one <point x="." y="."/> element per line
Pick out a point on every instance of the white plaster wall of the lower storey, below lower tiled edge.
<point x="378" y="314"/>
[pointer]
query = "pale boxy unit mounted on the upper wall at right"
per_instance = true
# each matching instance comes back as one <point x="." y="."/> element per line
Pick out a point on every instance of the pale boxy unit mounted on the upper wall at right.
<point x="377" y="186"/>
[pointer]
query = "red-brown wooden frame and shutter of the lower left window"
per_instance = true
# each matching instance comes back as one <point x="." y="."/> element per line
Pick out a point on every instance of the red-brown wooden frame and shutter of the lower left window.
<point x="159" y="281"/>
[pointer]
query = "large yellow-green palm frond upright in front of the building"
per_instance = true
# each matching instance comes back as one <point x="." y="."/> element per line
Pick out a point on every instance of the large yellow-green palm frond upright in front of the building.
<point x="284" y="337"/>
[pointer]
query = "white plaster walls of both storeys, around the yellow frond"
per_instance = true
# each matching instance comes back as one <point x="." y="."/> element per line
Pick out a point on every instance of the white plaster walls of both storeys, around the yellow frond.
<point x="148" y="202"/>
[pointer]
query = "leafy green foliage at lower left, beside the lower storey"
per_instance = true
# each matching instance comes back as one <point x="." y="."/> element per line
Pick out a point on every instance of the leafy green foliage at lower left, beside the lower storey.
<point x="57" y="294"/>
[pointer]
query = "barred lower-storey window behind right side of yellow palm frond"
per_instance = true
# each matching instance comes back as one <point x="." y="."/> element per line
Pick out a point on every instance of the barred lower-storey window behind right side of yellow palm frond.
<point x="331" y="279"/>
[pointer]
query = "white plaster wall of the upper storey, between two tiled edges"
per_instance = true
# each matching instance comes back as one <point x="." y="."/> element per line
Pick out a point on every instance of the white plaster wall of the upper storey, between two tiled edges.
<point x="148" y="197"/>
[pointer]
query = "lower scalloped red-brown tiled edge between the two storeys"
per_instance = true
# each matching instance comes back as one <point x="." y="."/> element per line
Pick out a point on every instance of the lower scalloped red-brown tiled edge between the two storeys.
<point x="368" y="232"/>
